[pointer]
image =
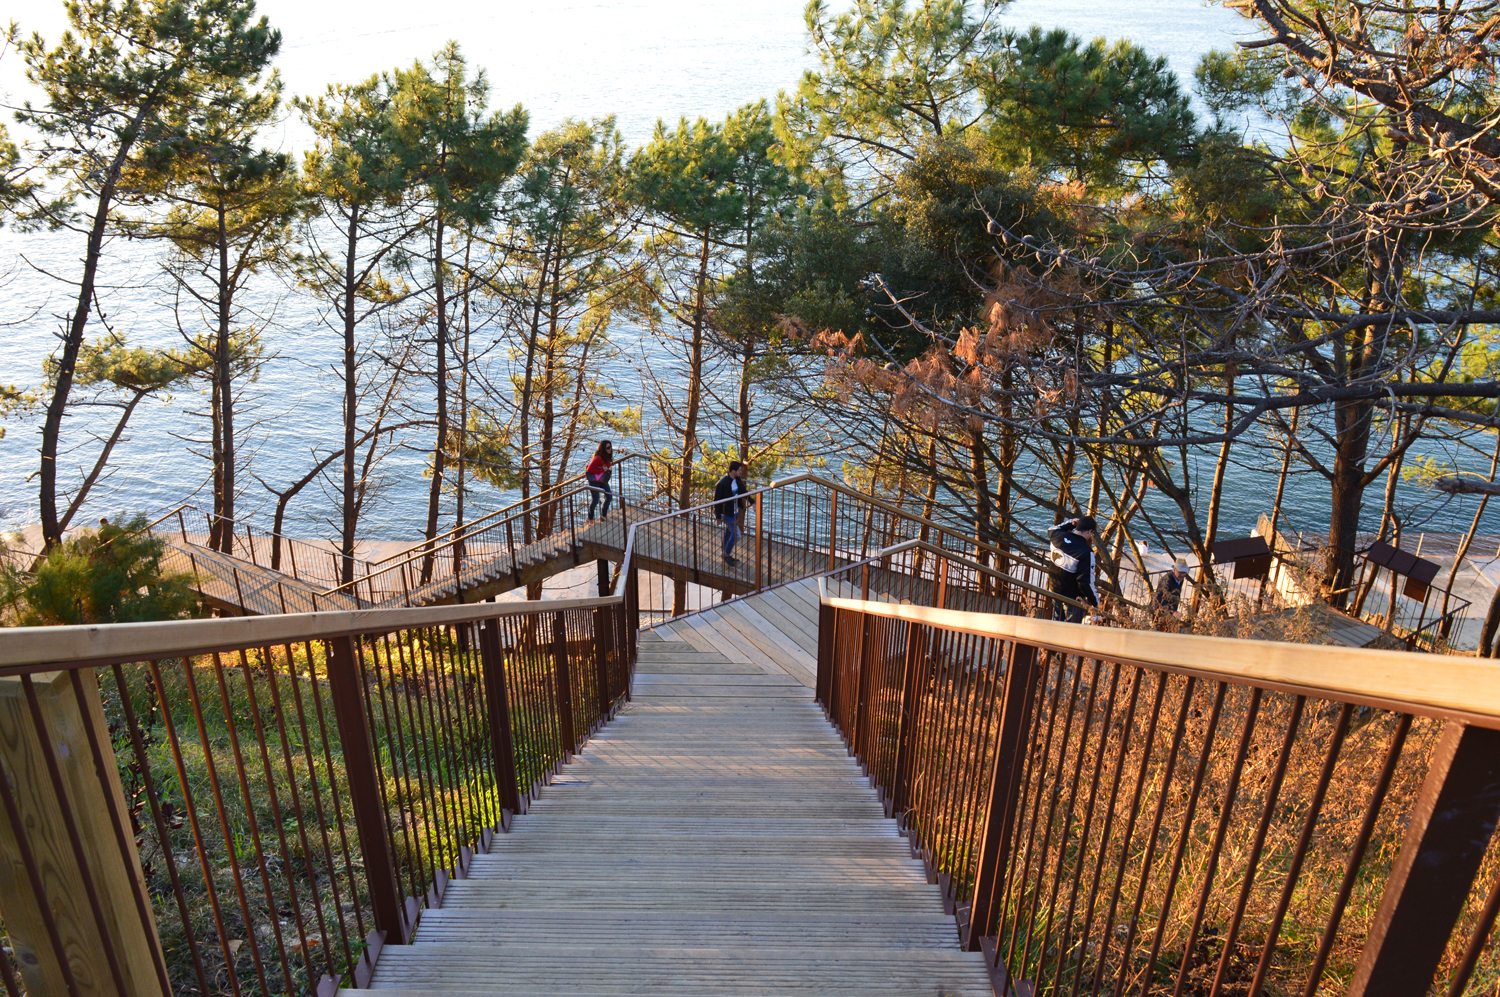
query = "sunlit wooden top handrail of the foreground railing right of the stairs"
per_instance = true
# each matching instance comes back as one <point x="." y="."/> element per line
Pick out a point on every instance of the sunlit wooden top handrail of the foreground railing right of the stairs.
<point x="1400" y="680"/>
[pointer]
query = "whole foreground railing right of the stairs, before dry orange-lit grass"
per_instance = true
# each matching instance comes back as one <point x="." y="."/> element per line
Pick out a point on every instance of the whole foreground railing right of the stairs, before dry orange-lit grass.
<point x="1127" y="812"/>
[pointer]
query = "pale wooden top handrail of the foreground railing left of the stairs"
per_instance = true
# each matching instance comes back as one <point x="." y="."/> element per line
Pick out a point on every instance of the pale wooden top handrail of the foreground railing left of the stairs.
<point x="35" y="648"/>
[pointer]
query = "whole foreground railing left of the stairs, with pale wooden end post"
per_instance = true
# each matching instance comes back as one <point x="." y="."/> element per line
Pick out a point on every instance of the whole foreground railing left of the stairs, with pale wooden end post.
<point x="259" y="806"/>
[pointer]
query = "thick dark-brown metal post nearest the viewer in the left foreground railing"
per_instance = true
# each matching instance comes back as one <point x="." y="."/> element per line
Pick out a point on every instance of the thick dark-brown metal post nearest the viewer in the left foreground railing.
<point x="347" y="693"/>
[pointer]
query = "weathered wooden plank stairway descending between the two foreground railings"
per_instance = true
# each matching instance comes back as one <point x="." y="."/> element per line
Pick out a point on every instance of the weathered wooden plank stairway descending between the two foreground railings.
<point x="716" y="839"/>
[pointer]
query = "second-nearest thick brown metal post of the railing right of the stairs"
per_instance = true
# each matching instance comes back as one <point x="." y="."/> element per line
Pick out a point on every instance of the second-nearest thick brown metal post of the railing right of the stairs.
<point x="1006" y="786"/>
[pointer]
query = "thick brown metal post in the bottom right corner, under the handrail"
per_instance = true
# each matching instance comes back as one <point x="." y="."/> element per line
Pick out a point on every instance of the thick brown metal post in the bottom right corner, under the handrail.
<point x="1445" y="843"/>
